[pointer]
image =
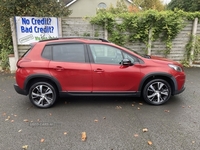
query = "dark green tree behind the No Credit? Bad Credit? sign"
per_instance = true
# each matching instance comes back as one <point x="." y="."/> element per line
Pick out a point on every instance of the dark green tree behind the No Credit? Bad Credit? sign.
<point x="11" y="8"/>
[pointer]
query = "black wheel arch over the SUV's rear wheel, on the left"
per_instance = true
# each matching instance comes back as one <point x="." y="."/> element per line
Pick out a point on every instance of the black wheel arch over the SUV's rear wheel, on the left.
<point x="41" y="77"/>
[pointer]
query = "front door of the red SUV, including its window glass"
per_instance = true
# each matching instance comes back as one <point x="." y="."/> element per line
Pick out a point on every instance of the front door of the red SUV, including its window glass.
<point x="108" y="75"/>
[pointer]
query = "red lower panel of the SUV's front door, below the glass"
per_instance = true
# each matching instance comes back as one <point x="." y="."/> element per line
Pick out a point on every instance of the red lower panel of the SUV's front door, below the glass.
<point x="115" y="77"/>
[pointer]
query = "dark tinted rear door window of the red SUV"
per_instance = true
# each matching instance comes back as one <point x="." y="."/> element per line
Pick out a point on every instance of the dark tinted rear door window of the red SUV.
<point x="68" y="53"/>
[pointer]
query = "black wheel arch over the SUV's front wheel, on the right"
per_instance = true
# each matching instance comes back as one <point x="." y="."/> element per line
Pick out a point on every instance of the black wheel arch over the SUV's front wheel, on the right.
<point x="165" y="76"/>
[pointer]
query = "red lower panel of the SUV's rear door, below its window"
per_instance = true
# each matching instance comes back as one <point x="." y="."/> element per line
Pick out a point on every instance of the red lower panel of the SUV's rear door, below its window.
<point x="72" y="76"/>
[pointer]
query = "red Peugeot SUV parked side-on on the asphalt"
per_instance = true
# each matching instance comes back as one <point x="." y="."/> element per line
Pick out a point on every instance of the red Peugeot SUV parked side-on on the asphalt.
<point x="93" y="66"/>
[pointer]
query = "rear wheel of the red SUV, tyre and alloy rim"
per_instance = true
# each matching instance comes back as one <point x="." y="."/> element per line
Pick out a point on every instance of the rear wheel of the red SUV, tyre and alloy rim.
<point x="42" y="94"/>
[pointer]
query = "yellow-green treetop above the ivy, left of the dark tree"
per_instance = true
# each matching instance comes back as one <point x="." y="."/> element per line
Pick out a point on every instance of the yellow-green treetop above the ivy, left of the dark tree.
<point x="150" y="4"/>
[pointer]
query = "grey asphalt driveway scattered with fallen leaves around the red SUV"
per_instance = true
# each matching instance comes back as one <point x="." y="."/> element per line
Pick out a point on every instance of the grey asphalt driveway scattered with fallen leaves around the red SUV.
<point x="110" y="123"/>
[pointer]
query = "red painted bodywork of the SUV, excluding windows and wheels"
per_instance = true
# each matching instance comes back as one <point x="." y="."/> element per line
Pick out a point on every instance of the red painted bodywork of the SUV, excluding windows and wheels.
<point x="90" y="77"/>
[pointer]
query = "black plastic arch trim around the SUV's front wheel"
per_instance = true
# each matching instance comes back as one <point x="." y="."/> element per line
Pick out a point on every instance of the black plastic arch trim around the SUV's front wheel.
<point x="145" y="78"/>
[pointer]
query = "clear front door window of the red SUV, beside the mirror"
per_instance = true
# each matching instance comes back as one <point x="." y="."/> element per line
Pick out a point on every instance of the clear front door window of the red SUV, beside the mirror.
<point x="104" y="54"/>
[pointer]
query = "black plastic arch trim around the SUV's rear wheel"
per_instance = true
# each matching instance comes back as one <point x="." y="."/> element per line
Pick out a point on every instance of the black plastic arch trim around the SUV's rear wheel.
<point x="49" y="77"/>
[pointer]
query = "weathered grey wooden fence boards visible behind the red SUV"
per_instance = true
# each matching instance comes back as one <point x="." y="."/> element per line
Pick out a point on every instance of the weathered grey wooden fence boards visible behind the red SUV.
<point x="81" y="27"/>
